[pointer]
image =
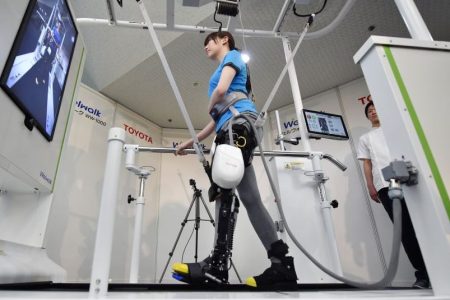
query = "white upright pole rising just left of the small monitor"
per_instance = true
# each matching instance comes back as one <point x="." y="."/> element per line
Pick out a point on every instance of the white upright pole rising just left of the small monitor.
<point x="296" y="94"/>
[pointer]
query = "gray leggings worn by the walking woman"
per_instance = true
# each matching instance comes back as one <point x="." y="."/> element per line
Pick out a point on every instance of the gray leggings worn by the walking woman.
<point x="257" y="212"/>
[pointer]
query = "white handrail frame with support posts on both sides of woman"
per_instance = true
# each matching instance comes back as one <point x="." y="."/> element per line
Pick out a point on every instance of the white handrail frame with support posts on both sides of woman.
<point x="104" y="236"/>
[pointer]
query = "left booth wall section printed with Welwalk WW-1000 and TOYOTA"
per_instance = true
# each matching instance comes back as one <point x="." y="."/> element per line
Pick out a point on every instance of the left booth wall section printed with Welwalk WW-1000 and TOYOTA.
<point x="72" y="226"/>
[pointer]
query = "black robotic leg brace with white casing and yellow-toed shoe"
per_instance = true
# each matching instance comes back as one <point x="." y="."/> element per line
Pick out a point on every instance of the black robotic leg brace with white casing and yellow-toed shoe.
<point x="226" y="173"/>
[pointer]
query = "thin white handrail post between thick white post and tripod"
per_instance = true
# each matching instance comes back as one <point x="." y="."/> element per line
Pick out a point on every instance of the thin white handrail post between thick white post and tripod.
<point x="135" y="253"/>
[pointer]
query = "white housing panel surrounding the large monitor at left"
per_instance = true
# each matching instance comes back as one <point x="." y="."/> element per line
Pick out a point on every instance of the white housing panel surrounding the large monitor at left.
<point x="29" y="166"/>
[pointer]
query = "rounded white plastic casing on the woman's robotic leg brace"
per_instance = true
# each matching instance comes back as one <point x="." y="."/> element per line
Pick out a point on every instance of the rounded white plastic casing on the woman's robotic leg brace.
<point x="228" y="166"/>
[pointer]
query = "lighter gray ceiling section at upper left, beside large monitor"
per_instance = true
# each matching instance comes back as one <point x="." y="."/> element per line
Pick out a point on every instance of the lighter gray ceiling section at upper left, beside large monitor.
<point x="113" y="51"/>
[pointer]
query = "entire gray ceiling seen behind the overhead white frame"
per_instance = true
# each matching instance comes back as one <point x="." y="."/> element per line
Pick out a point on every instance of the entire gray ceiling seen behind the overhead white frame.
<point x="122" y="63"/>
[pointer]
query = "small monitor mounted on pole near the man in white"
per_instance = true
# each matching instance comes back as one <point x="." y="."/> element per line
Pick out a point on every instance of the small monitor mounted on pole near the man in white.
<point x="325" y="125"/>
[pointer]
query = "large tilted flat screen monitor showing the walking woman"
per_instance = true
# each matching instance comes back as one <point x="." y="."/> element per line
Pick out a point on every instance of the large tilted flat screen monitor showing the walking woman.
<point x="35" y="73"/>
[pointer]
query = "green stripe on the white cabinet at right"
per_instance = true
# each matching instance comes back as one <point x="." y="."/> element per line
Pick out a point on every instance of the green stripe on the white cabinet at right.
<point x="419" y="130"/>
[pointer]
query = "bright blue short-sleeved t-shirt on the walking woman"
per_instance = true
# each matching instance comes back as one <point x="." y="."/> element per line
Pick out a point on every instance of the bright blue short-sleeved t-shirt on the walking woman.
<point x="238" y="84"/>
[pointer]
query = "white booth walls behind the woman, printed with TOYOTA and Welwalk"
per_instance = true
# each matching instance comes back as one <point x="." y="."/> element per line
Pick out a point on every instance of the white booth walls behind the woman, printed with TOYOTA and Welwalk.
<point x="72" y="225"/>
